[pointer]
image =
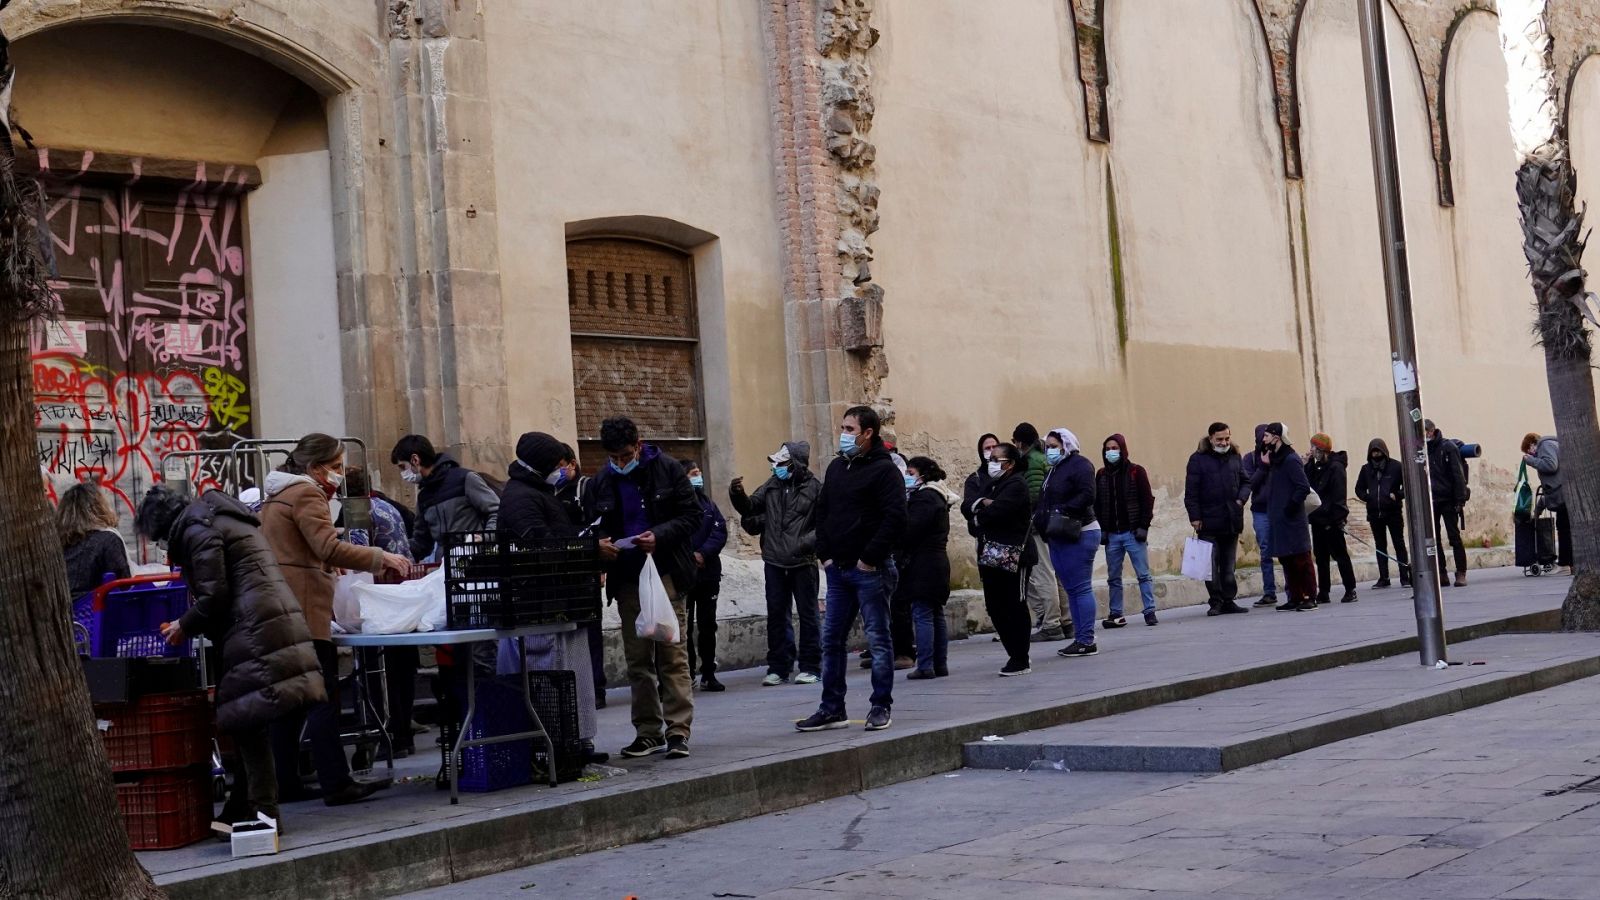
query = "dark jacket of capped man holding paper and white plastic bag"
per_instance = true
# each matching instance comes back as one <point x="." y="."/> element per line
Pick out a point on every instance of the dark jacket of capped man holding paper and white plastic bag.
<point x="671" y="508"/>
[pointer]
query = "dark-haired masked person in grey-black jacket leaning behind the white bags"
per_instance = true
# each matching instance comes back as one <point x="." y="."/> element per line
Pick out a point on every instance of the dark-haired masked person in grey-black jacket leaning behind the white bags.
<point x="450" y="499"/>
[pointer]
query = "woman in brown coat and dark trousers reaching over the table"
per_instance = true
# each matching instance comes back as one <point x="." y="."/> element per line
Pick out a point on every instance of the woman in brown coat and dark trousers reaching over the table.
<point x="298" y="526"/>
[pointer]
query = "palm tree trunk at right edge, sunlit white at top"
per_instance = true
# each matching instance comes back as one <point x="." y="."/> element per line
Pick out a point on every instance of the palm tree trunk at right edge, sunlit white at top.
<point x="1554" y="246"/>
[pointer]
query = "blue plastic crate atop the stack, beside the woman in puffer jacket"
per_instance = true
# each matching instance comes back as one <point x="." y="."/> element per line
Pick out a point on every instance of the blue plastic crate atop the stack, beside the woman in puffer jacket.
<point x="124" y="617"/>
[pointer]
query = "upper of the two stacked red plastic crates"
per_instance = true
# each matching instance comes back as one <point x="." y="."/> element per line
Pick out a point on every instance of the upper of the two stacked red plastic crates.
<point x="159" y="731"/>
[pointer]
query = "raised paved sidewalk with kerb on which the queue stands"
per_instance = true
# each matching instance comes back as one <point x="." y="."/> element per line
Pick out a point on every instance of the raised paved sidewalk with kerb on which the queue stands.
<point x="750" y="760"/>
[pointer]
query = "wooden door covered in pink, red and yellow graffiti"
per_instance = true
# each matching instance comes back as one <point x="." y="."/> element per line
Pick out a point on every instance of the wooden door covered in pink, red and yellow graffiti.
<point x="148" y="356"/>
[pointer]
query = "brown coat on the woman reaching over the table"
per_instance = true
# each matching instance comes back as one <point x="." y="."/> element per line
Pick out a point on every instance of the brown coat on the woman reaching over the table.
<point x="298" y="524"/>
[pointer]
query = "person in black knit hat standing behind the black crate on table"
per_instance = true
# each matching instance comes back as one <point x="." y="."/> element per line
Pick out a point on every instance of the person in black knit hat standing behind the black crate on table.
<point x="530" y="512"/>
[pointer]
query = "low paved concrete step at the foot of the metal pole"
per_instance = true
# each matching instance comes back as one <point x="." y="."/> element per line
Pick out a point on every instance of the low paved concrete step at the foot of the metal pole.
<point x="1252" y="725"/>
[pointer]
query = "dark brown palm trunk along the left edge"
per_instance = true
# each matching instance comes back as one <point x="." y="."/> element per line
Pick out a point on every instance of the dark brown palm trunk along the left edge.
<point x="60" y="832"/>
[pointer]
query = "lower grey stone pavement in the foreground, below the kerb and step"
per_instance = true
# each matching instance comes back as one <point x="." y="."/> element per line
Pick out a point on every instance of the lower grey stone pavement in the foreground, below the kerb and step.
<point x="1494" y="803"/>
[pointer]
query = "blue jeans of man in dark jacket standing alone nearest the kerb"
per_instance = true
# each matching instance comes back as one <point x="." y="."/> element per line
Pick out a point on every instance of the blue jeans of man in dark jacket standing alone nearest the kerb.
<point x="849" y="593"/>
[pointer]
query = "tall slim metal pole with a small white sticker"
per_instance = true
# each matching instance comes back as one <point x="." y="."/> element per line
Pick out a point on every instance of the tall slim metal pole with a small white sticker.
<point x="1402" y="334"/>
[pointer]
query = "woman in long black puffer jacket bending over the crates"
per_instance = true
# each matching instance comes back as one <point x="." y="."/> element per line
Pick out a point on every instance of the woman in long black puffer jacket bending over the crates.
<point x="244" y="606"/>
